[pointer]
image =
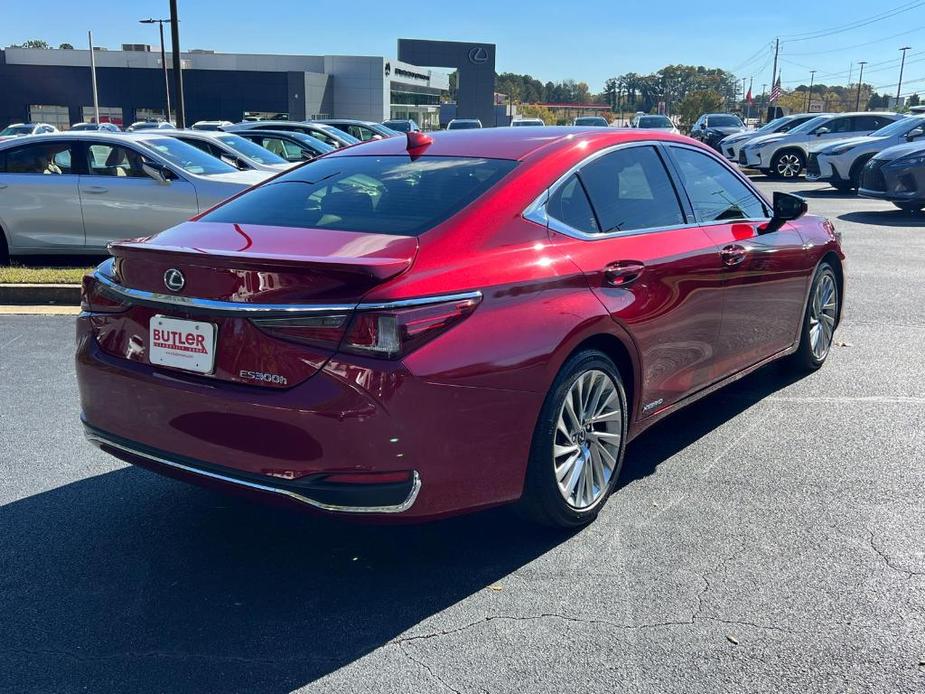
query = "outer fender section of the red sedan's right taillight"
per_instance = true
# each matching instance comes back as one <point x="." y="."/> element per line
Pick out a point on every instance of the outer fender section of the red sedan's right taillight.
<point x="392" y="333"/>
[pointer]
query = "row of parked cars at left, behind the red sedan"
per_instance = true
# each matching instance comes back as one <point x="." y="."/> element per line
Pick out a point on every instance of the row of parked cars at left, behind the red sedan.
<point x="74" y="192"/>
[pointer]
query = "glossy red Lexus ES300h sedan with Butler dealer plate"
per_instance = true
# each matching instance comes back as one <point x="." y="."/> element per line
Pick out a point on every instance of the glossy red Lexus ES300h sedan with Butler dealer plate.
<point x="427" y="325"/>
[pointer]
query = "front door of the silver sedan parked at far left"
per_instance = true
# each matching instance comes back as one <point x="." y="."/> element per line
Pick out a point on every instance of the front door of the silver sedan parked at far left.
<point x="120" y="201"/>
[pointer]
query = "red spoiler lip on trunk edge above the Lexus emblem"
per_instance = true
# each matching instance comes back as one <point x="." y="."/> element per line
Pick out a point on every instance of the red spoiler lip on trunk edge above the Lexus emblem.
<point x="379" y="268"/>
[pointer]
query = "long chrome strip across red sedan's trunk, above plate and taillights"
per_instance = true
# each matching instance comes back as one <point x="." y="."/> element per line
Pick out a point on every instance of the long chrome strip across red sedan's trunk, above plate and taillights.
<point x="265" y="310"/>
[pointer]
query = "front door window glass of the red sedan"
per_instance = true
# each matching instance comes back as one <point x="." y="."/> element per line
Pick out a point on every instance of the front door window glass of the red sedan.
<point x="716" y="194"/>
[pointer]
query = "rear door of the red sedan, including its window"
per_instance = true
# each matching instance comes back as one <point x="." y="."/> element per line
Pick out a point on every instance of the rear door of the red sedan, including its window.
<point x="656" y="272"/>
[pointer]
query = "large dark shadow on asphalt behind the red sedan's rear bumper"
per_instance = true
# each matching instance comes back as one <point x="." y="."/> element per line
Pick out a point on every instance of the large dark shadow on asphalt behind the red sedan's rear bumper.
<point x="129" y="582"/>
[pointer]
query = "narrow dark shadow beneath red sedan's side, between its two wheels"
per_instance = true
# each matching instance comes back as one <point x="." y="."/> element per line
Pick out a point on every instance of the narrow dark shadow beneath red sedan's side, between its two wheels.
<point x="676" y="432"/>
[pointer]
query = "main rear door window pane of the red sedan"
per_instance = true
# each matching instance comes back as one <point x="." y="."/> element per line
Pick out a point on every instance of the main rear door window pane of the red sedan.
<point x="630" y="189"/>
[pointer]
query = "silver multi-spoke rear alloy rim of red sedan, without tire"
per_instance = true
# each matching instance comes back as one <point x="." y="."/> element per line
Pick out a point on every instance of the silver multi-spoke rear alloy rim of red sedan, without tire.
<point x="588" y="435"/>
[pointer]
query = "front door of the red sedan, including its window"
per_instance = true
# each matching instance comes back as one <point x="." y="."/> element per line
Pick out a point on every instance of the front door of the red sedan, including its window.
<point x="765" y="275"/>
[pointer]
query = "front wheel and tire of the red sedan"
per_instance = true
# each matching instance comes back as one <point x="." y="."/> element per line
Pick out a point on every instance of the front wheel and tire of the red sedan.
<point x="819" y="320"/>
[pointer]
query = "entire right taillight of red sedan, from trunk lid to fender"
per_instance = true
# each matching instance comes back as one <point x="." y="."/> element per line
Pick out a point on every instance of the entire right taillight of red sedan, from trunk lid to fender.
<point x="389" y="332"/>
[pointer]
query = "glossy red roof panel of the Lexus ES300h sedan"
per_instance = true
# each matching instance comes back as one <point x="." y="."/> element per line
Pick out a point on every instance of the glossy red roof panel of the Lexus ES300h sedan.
<point x="505" y="143"/>
